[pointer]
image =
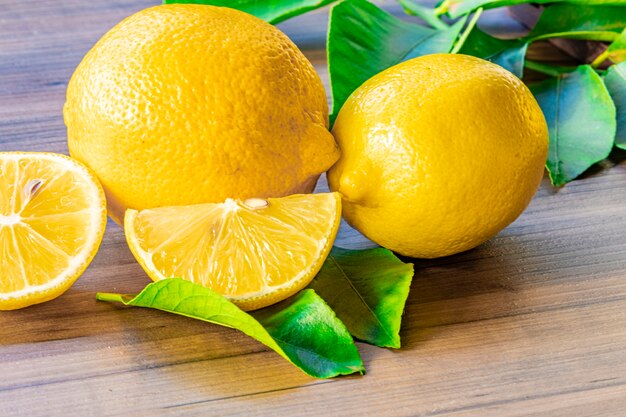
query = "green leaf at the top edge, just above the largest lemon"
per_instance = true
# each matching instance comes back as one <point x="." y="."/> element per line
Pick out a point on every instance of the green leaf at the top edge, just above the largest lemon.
<point x="272" y="11"/>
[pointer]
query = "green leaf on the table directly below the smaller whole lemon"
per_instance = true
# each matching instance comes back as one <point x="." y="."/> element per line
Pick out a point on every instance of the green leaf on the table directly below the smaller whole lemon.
<point x="367" y="289"/>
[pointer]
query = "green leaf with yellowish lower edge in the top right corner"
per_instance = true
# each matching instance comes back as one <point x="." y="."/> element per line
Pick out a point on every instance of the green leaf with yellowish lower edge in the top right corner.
<point x="600" y="23"/>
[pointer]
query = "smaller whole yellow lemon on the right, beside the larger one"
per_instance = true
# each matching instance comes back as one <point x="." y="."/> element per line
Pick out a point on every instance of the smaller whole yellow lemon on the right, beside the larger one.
<point x="439" y="153"/>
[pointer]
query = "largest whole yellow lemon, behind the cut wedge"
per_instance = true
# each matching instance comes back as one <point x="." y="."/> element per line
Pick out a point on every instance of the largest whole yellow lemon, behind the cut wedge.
<point x="185" y="104"/>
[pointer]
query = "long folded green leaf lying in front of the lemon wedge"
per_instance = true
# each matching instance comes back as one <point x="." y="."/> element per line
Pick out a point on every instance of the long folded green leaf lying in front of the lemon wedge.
<point x="302" y="329"/>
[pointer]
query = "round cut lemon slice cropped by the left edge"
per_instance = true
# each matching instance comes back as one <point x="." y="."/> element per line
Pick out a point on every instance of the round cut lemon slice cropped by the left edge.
<point x="52" y="219"/>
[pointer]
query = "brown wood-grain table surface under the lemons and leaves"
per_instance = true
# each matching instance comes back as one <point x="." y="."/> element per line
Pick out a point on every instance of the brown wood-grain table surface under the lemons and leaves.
<point x="532" y="323"/>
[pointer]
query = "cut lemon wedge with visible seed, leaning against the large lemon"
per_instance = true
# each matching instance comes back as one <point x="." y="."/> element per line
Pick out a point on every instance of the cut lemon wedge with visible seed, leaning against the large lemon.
<point x="254" y="252"/>
